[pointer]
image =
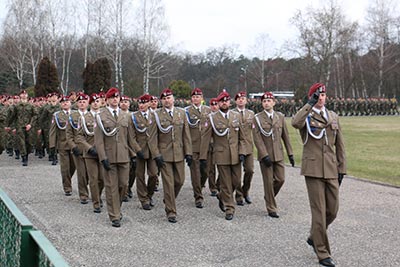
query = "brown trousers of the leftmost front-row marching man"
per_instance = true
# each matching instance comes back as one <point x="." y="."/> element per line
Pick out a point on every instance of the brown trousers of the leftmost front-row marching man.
<point x="116" y="183"/>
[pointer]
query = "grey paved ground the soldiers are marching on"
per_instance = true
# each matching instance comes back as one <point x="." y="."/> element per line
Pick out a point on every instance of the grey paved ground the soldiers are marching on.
<point x="366" y="232"/>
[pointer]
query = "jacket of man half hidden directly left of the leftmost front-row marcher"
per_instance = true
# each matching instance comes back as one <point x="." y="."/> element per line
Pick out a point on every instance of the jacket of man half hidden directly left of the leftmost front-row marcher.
<point x="85" y="135"/>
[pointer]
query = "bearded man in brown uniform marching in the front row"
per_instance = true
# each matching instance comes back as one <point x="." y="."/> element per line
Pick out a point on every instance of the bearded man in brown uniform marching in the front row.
<point x="225" y="129"/>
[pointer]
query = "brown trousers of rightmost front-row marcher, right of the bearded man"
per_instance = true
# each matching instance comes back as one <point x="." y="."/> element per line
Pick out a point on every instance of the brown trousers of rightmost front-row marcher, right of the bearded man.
<point x="273" y="179"/>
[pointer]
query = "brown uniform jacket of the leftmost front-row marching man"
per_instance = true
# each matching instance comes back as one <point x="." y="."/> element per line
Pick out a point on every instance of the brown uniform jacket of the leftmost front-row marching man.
<point x="119" y="147"/>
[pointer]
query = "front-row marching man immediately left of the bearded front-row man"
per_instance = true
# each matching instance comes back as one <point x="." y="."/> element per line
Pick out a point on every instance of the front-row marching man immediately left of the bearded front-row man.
<point x="170" y="143"/>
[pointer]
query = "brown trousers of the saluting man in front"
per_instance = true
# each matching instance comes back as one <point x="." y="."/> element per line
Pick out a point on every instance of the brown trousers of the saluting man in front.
<point x="324" y="203"/>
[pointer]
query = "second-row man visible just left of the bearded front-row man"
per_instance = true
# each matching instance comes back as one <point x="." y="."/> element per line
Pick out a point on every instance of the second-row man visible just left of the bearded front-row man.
<point x="197" y="114"/>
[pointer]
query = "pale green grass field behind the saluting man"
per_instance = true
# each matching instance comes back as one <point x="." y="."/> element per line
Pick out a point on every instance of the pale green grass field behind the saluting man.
<point x="372" y="147"/>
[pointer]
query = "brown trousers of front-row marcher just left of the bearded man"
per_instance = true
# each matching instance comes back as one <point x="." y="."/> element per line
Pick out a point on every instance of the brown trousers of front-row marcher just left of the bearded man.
<point x="173" y="177"/>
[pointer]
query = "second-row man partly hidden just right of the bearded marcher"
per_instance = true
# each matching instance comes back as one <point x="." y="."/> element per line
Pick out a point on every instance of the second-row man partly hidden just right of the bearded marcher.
<point x="246" y="120"/>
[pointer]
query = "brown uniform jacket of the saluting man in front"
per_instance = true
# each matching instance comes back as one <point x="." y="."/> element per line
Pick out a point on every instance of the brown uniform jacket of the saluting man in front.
<point x="324" y="157"/>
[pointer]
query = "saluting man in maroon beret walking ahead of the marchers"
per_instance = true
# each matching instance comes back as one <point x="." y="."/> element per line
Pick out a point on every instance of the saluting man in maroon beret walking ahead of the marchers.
<point x="323" y="165"/>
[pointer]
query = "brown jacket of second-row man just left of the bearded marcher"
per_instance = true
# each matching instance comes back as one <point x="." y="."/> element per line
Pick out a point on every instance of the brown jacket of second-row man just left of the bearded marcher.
<point x="196" y="121"/>
